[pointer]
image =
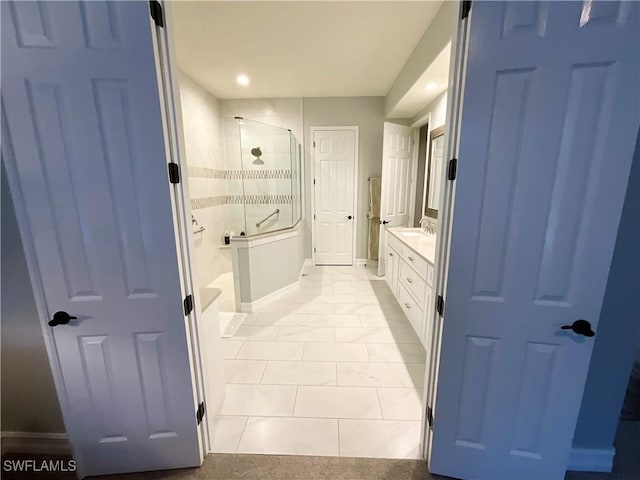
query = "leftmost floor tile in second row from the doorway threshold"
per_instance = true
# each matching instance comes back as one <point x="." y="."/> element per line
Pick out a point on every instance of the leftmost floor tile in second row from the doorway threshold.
<point x="259" y="400"/>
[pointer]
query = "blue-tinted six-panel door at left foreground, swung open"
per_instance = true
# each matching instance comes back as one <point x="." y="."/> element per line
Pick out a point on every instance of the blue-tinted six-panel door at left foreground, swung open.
<point x="83" y="142"/>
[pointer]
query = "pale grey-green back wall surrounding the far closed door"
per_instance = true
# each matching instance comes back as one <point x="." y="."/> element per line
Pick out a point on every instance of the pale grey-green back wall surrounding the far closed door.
<point x="367" y="113"/>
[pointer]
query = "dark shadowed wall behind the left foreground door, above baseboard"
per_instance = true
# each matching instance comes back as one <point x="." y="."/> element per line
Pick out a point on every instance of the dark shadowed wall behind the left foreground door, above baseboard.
<point x="29" y="402"/>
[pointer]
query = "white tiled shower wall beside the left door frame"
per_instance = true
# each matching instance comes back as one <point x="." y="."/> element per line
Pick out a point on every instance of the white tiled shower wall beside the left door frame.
<point x="205" y="154"/>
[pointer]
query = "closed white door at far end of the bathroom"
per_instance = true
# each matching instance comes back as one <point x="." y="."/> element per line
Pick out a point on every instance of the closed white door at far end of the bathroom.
<point x="334" y="191"/>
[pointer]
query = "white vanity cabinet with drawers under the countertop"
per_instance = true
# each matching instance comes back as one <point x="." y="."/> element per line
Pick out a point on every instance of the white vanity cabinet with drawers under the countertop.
<point x="410" y="278"/>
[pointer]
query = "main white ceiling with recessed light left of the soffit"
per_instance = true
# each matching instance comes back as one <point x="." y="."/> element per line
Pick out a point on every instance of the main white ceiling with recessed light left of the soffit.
<point x="298" y="49"/>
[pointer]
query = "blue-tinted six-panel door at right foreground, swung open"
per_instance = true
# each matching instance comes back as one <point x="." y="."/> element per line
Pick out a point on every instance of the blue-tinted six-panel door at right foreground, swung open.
<point x="549" y="120"/>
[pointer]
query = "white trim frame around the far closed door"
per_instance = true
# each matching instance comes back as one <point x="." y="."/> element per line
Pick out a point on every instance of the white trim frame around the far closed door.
<point x="312" y="188"/>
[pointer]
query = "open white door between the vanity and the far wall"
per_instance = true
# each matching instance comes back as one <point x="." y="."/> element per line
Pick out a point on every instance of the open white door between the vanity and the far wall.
<point x="395" y="197"/>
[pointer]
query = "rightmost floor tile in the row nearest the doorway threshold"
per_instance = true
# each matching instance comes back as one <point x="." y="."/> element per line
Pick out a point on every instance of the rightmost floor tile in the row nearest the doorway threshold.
<point x="372" y="438"/>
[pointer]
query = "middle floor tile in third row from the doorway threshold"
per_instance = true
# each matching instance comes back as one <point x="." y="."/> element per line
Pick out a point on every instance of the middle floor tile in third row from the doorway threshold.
<point x="300" y="373"/>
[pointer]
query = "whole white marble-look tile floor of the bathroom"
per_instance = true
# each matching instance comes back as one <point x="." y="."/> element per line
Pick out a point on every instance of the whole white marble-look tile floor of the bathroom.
<point x="330" y="369"/>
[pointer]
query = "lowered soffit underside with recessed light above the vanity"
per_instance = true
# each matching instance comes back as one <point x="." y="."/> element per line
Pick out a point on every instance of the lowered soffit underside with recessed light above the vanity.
<point x="417" y="97"/>
